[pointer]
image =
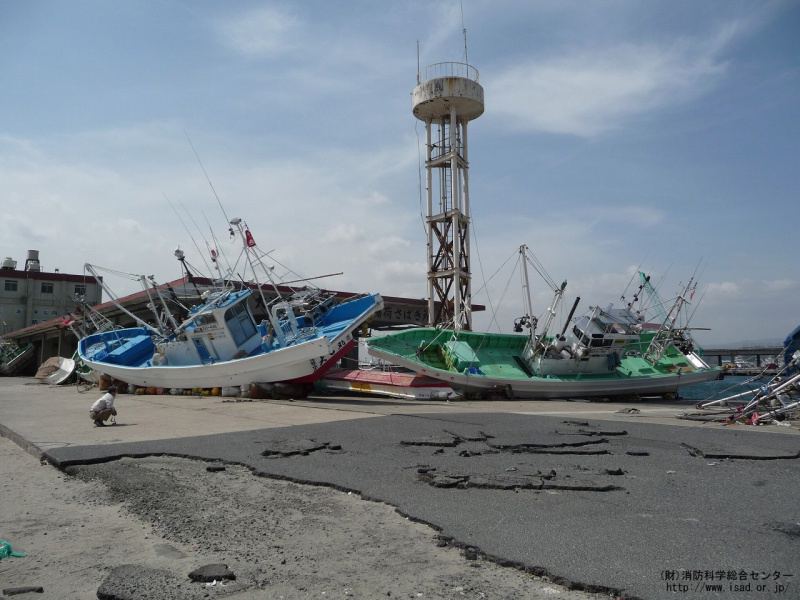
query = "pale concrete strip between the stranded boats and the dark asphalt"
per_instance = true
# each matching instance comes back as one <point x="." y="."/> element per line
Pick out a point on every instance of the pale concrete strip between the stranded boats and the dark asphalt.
<point x="41" y="417"/>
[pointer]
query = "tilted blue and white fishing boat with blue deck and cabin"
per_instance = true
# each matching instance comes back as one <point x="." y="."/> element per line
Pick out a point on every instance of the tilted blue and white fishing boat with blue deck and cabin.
<point x="220" y="343"/>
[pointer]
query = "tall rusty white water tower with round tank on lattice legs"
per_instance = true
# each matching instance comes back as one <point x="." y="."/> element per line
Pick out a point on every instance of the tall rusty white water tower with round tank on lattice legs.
<point x="446" y="99"/>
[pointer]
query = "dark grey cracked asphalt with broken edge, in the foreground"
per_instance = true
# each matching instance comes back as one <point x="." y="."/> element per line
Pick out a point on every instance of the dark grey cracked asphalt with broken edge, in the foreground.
<point x="601" y="506"/>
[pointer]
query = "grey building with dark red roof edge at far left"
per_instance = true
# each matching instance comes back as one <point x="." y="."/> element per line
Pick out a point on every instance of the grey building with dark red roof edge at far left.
<point x="30" y="297"/>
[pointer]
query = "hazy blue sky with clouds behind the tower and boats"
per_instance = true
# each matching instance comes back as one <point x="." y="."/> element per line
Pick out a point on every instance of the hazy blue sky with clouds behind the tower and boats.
<point x="617" y="135"/>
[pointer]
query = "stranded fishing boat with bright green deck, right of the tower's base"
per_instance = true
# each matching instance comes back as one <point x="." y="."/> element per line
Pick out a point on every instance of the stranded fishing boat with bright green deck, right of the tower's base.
<point x="610" y="352"/>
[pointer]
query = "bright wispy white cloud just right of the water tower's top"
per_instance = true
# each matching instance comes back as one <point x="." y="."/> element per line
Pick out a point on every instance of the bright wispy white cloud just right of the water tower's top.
<point x="594" y="90"/>
